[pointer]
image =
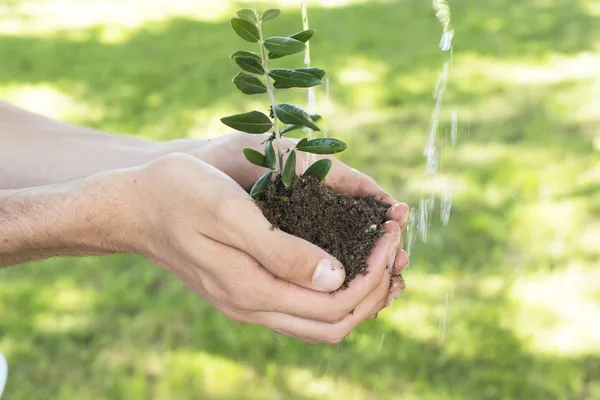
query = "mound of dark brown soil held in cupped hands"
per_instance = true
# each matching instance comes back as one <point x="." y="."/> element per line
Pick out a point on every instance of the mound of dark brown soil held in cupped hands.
<point x="345" y="227"/>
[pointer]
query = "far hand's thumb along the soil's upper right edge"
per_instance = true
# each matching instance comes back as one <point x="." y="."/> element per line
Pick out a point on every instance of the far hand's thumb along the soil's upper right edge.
<point x="347" y="180"/>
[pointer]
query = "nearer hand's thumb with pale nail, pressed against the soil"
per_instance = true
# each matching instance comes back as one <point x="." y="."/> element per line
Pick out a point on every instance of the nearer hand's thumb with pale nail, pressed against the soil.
<point x="285" y="256"/>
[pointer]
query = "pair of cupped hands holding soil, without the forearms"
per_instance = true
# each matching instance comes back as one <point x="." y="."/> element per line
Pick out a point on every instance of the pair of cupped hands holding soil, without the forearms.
<point x="195" y="218"/>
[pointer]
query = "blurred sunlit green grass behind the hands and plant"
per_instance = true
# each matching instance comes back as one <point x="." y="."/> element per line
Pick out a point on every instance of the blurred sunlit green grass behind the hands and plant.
<point x="504" y="303"/>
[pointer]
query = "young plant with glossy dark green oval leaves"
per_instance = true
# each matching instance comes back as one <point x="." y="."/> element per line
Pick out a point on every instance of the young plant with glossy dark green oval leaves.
<point x="249" y="26"/>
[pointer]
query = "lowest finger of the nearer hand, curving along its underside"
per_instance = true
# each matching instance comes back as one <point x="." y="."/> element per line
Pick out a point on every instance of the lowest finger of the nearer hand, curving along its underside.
<point x="314" y="331"/>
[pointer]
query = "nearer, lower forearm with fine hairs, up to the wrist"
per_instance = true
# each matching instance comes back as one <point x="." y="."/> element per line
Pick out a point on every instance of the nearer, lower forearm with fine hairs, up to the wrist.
<point x="82" y="217"/>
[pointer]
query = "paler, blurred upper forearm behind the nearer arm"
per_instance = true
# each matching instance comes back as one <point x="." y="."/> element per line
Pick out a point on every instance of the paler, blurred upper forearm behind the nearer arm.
<point x="36" y="151"/>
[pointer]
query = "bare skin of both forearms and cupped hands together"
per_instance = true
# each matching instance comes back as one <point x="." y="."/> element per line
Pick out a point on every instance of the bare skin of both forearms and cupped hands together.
<point x="68" y="190"/>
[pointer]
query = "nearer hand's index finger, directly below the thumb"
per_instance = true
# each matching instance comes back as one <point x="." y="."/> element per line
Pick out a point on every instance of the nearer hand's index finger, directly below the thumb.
<point x="243" y="281"/>
